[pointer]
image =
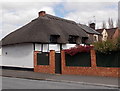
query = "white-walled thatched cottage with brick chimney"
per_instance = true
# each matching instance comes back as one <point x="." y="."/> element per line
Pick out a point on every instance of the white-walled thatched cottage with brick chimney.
<point x="42" y="34"/>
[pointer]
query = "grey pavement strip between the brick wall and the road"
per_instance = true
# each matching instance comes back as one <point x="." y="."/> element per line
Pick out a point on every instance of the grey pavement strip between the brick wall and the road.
<point x="86" y="80"/>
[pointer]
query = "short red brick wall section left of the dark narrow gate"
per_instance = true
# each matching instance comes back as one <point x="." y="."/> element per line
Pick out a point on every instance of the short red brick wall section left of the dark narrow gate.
<point x="45" y="68"/>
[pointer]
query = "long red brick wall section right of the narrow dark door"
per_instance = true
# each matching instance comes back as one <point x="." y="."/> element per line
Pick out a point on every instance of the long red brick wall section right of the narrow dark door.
<point x="92" y="71"/>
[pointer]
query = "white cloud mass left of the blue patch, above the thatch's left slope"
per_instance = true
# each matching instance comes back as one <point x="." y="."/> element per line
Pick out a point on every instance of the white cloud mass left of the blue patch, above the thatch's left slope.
<point x="15" y="15"/>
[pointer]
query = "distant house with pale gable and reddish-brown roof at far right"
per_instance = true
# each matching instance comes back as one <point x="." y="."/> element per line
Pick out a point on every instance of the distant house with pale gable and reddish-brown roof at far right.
<point x="107" y="34"/>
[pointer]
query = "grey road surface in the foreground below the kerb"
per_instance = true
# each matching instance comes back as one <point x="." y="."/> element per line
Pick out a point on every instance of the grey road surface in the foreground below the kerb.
<point x="18" y="83"/>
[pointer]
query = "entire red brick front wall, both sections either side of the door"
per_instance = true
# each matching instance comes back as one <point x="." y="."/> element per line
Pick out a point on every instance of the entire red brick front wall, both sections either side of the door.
<point x="92" y="71"/>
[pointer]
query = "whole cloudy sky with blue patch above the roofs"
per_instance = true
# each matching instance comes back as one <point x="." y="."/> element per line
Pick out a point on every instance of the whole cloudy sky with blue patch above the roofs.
<point x="16" y="13"/>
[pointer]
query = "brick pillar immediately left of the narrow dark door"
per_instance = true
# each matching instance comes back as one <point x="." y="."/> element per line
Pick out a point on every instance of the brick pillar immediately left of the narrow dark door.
<point x="52" y="61"/>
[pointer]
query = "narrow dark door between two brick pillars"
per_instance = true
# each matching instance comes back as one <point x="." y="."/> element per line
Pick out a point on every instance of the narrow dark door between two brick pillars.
<point x="58" y="63"/>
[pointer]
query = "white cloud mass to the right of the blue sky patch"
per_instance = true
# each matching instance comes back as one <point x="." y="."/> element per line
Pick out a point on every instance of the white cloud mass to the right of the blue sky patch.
<point x="92" y="11"/>
